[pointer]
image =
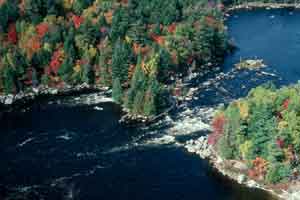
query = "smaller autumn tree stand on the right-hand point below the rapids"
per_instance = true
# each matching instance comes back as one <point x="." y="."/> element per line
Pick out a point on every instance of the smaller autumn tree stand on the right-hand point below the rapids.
<point x="262" y="130"/>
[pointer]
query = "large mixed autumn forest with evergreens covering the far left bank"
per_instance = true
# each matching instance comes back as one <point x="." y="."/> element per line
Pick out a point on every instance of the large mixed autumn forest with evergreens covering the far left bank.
<point x="136" y="47"/>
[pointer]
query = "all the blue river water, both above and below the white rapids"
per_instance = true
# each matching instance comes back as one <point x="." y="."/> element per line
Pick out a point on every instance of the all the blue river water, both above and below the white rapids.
<point x="63" y="151"/>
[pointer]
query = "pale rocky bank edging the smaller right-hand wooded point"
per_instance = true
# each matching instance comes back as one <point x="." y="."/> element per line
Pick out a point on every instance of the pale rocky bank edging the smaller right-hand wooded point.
<point x="237" y="170"/>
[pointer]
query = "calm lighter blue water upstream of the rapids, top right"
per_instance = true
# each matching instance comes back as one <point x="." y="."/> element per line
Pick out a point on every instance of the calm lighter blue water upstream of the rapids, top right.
<point x="271" y="35"/>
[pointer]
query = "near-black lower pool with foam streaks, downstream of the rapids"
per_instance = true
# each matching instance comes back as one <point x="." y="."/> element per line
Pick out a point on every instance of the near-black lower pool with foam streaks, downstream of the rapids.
<point x="56" y="151"/>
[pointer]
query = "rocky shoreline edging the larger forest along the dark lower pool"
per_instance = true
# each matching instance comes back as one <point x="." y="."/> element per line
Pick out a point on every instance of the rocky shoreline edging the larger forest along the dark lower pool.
<point x="11" y="102"/>
